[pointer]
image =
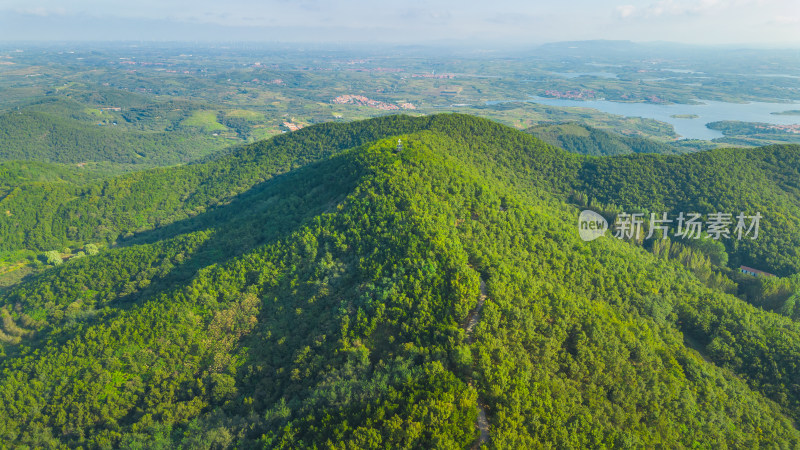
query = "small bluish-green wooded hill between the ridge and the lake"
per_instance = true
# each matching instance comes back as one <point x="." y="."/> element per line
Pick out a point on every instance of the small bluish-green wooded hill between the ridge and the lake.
<point x="586" y="140"/>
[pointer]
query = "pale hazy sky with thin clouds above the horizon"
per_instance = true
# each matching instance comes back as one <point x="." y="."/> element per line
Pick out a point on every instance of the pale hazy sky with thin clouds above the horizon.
<point x="511" y="22"/>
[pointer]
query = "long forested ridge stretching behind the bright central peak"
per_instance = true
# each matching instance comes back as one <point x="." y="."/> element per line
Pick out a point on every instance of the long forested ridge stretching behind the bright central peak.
<point x="41" y="218"/>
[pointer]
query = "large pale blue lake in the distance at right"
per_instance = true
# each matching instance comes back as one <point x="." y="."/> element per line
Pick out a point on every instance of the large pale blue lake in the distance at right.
<point x="709" y="111"/>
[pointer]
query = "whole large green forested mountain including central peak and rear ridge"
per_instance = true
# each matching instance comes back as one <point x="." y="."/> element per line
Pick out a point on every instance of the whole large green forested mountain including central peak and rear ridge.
<point x="320" y="289"/>
